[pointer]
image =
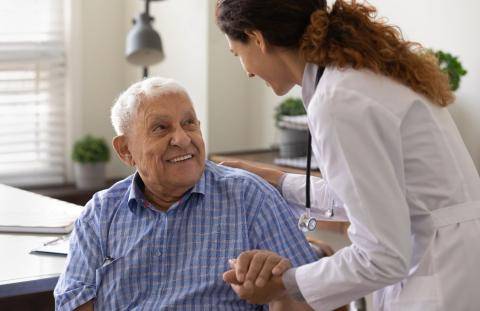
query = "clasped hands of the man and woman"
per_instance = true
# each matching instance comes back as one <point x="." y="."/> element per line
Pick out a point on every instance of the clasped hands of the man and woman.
<point x="256" y="276"/>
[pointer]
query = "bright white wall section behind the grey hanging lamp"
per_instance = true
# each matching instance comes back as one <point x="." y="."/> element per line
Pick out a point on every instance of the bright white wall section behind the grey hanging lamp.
<point x="183" y="28"/>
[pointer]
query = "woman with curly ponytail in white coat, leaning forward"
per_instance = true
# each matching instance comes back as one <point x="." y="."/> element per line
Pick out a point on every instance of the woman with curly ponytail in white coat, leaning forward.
<point x="392" y="160"/>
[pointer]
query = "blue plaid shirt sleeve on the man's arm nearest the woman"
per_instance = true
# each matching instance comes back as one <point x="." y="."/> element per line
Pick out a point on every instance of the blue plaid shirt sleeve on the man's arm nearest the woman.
<point x="274" y="228"/>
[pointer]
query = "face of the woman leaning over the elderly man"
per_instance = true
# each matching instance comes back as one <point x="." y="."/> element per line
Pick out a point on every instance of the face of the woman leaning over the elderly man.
<point x="265" y="63"/>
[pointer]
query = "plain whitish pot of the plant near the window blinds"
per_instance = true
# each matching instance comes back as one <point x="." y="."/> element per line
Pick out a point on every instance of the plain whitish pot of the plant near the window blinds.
<point x="89" y="175"/>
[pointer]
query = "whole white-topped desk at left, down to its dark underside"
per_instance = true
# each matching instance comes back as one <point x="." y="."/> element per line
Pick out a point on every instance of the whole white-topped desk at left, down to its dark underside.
<point x="27" y="280"/>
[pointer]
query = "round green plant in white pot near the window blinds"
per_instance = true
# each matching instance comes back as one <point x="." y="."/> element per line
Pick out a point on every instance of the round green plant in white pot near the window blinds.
<point x="90" y="155"/>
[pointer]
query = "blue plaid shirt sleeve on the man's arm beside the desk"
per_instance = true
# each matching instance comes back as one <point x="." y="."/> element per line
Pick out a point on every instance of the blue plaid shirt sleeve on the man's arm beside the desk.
<point x="76" y="285"/>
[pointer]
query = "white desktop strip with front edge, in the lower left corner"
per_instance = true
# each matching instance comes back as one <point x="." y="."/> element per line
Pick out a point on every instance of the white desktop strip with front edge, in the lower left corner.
<point x="24" y="273"/>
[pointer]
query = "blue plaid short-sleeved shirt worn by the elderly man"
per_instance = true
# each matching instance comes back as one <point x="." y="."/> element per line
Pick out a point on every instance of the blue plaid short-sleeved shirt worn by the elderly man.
<point x="127" y="255"/>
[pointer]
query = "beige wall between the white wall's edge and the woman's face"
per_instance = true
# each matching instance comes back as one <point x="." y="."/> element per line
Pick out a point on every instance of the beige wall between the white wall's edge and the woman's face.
<point x="240" y="109"/>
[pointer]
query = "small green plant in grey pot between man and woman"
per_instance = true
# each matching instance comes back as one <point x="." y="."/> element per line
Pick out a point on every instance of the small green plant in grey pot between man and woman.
<point x="293" y="135"/>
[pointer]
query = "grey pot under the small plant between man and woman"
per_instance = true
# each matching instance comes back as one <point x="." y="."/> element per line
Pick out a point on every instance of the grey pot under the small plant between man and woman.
<point x="293" y="143"/>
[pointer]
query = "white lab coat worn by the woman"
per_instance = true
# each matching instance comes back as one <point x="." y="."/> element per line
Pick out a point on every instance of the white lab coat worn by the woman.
<point x="395" y="166"/>
